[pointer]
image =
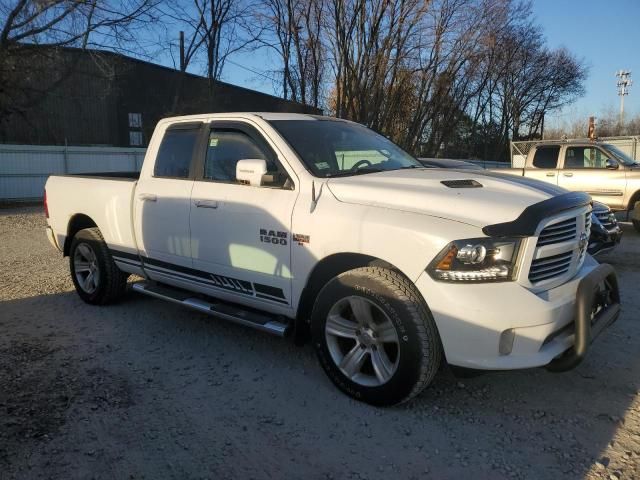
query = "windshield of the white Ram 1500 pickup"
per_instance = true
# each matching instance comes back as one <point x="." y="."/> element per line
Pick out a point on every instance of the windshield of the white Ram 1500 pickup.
<point x="331" y="148"/>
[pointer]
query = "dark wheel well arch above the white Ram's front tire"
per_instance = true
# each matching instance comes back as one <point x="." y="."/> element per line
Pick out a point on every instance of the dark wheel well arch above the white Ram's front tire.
<point x="326" y="269"/>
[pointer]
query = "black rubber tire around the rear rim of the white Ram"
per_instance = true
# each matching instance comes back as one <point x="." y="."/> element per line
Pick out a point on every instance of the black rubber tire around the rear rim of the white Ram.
<point x="111" y="281"/>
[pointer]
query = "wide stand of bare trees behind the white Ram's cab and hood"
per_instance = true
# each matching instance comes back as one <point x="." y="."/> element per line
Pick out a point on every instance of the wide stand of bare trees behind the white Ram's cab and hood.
<point x="435" y="75"/>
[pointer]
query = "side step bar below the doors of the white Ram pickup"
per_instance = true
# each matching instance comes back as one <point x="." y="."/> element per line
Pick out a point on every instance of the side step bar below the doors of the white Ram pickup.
<point x="227" y="311"/>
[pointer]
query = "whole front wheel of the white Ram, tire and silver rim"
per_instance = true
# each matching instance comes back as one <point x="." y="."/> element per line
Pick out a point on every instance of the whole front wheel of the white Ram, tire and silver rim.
<point x="375" y="337"/>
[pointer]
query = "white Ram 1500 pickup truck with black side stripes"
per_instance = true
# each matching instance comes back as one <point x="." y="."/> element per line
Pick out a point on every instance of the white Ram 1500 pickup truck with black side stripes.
<point x="323" y="228"/>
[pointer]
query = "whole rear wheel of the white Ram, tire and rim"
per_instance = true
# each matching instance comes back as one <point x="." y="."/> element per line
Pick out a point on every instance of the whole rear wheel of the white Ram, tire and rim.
<point x="96" y="277"/>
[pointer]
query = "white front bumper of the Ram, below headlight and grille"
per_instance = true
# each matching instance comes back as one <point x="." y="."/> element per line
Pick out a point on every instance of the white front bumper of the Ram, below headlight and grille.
<point x="475" y="319"/>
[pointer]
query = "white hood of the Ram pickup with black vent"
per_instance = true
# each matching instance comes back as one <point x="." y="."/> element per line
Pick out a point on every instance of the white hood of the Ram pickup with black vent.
<point x="501" y="198"/>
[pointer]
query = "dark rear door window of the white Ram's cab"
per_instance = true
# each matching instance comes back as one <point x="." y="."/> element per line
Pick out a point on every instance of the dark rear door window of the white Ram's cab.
<point x="175" y="153"/>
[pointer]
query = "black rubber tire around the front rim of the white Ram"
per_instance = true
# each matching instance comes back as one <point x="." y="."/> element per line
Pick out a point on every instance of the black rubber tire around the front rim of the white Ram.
<point x="418" y="347"/>
